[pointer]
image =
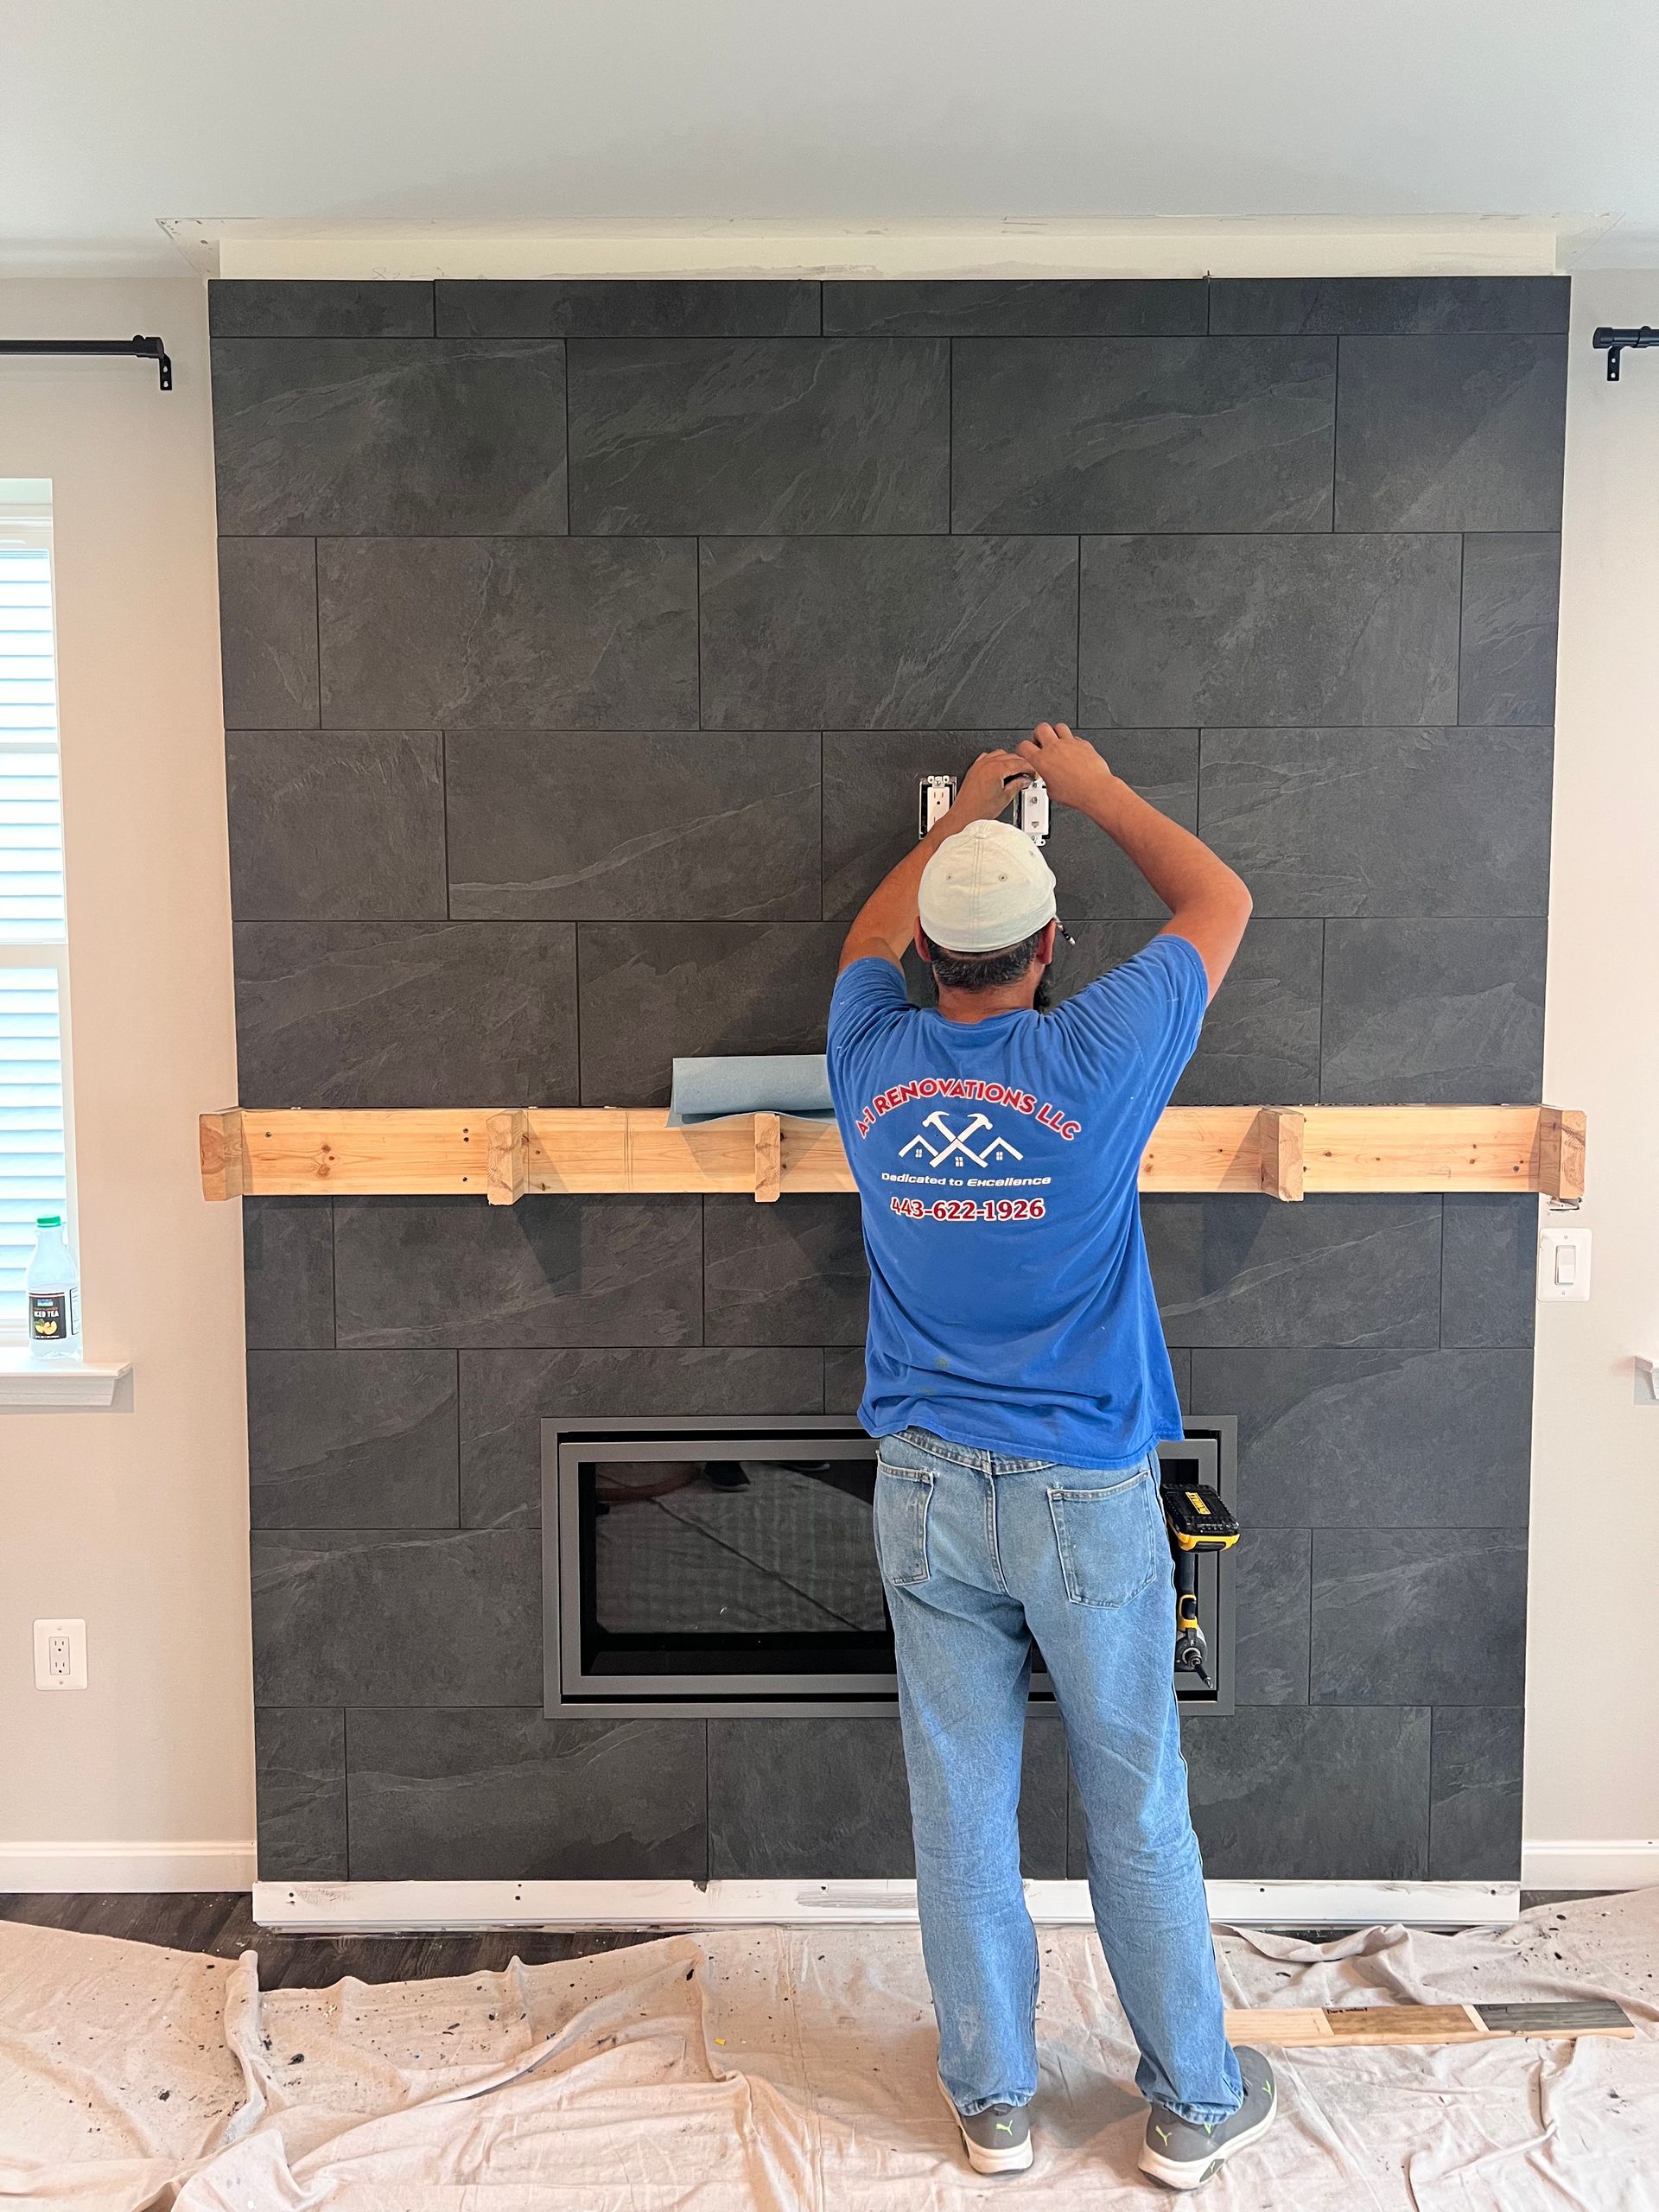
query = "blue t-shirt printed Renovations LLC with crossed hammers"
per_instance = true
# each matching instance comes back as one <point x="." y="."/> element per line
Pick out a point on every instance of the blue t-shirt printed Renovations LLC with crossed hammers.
<point x="1010" y="1295"/>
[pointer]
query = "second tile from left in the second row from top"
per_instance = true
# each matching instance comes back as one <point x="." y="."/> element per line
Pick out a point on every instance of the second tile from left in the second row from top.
<point x="760" y="435"/>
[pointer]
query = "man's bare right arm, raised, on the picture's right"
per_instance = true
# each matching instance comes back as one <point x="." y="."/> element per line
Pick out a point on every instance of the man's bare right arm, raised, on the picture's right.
<point x="1209" y="904"/>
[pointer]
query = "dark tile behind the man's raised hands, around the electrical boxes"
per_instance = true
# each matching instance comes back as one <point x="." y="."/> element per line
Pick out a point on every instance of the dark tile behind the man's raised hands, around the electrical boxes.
<point x="870" y="782"/>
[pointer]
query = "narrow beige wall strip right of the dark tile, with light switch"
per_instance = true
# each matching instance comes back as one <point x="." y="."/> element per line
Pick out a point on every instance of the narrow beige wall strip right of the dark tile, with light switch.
<point x="1594" y="1669"/>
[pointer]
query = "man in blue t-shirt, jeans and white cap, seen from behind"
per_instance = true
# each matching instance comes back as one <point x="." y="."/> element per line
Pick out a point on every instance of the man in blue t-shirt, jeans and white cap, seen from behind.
<point x="1019" y="1386"/>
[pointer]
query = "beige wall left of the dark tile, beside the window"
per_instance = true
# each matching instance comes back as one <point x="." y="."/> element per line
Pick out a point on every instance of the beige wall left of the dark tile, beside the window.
<point x="134" y="1519"/>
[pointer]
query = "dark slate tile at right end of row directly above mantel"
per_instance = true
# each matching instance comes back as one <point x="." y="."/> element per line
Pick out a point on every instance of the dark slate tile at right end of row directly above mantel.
<point x="1434" y="1012"/>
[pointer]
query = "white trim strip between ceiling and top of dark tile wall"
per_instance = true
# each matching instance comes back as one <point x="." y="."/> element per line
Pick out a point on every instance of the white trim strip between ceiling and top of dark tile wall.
<point x="1078" y="249"/>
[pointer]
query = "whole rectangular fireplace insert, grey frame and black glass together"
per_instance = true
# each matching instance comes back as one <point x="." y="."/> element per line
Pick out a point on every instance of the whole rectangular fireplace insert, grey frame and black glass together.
<point x="727" y="1567"/>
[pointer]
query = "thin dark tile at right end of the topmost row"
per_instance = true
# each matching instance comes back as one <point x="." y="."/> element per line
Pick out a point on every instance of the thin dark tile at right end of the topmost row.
<point x="1415" y="306"/>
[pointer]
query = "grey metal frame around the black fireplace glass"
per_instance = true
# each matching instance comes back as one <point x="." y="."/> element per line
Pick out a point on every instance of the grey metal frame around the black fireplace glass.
<point x="570" y="1691"/>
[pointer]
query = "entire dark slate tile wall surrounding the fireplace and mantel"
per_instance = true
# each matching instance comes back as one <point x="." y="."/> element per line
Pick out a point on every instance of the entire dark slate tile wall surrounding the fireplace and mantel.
<point x="583" y="647"/>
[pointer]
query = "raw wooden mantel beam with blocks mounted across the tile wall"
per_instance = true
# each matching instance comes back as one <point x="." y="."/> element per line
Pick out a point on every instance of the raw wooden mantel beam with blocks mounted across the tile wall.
<point x="508" y="1154"/>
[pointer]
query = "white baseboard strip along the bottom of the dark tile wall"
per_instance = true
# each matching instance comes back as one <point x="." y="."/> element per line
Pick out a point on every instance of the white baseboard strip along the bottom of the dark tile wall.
<point x="377" y="1908"/>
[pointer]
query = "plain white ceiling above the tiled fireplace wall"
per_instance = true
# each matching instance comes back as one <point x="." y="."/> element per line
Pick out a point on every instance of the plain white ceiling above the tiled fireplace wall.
<point x="335" y="114"/>
